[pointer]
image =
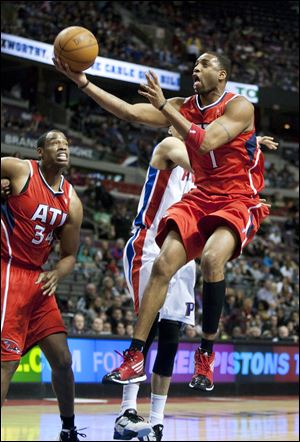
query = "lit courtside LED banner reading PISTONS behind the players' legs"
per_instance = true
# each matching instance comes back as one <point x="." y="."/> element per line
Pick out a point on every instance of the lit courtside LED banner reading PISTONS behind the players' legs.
<point x="242" y="363"/>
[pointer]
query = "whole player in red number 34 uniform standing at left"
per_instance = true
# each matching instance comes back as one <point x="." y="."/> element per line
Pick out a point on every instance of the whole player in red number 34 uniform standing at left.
<point x="42" y="204"/>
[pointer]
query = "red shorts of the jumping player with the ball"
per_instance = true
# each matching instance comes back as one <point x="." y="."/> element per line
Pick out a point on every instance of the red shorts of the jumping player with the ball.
<point x="198" y="215"/>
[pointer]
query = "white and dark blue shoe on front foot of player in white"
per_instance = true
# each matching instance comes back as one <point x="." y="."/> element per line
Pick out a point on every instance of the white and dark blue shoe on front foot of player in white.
<point x="130" y="425"/>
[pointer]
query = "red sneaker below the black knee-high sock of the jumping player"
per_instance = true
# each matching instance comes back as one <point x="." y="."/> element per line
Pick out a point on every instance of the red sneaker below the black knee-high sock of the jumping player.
<point x="204" y="369"/>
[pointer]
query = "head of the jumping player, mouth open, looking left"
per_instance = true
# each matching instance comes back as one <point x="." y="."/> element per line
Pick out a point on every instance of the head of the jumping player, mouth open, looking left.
<point x="206" y="74"/>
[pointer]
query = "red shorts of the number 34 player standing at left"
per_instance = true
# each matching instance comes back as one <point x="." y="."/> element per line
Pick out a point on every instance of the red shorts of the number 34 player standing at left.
<point x="26" y="315"/>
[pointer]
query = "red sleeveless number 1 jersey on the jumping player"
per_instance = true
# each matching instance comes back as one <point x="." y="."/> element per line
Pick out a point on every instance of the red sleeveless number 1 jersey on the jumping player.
<point x="234" y="168"/>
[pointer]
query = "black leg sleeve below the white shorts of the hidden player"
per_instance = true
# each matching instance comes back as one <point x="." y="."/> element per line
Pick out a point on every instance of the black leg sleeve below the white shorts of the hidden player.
<point x="167" y="347"/>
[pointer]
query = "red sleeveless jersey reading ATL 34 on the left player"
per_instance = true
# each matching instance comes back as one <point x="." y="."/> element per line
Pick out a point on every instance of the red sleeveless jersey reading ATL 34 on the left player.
<point x="28" y="220"/>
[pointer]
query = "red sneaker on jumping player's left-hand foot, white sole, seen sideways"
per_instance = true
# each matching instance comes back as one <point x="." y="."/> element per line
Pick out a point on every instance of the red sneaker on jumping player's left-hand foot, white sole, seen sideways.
<point x="131" y="370"/>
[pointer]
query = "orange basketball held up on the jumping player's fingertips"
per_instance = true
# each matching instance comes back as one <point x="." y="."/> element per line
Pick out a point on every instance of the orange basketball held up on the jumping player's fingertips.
<point x="77" y="47"/>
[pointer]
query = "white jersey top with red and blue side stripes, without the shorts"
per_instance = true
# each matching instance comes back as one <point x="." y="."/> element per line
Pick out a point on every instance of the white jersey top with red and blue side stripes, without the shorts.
<point x="162" y="188"/>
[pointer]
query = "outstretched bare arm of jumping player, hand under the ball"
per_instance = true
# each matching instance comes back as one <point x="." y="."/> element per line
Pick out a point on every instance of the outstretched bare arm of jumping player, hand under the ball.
<point x="138" y="113"/>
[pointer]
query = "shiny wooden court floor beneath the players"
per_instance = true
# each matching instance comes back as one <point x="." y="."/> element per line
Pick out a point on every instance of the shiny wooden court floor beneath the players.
<point x="186" y="419"/>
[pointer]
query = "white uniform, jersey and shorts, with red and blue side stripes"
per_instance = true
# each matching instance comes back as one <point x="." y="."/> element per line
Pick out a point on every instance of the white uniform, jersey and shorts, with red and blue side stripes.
<point x="162" y="189"/>
